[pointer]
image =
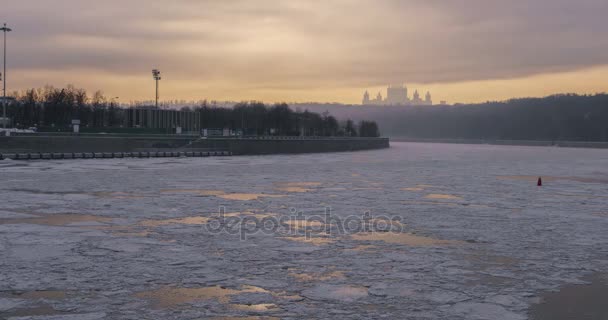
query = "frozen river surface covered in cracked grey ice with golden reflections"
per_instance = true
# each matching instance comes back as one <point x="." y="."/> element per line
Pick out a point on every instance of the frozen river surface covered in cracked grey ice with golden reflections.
<point x="471" y="235"/>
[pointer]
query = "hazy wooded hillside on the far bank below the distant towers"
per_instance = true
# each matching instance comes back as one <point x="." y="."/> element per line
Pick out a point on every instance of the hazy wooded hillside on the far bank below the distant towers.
<point x="563" y="117"/>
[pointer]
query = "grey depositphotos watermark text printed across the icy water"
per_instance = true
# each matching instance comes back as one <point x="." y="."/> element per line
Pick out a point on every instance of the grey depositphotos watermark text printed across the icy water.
<point x="298" y="223"/>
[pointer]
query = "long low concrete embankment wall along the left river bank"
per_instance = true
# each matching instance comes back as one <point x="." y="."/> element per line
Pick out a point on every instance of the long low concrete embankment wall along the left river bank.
<point x="245" y="146"/>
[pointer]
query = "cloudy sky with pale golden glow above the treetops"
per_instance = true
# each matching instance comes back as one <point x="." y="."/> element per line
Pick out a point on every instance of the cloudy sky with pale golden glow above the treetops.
<point x="310" y="50"/>
